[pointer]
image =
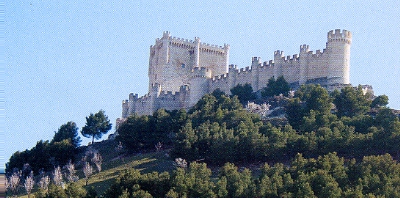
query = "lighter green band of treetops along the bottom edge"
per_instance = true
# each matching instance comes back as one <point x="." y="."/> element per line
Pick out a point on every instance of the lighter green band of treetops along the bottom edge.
<point x="325" y="176"/>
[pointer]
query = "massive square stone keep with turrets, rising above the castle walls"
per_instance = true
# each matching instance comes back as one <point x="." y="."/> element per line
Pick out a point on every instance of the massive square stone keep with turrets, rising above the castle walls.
<point x="172" y="60"/>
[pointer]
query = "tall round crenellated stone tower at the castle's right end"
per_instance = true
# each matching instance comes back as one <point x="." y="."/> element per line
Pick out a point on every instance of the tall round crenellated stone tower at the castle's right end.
<point x="338" y="50"/>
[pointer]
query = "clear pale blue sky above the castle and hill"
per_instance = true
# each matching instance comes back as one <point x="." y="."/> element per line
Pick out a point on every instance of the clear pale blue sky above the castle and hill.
<point x="67" y="59"/>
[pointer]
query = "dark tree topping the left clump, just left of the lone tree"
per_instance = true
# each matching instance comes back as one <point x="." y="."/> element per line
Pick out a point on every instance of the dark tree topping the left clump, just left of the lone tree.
<point x="67" y="131"/>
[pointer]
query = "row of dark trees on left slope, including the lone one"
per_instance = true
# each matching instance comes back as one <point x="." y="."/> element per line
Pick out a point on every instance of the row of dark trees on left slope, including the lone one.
<point x="64" y="147"/>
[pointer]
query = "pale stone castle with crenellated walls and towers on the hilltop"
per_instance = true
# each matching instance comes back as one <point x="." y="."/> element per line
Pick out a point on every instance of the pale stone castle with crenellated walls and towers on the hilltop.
<point x="181" y="71"/>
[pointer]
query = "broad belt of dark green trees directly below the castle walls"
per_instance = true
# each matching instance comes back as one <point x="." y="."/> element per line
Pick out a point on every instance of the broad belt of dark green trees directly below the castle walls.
<point x="218" y="130"/>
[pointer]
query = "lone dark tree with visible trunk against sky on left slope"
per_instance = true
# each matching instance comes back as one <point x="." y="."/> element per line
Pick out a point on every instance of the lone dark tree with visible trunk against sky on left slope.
<point x="96" y="125"/>
